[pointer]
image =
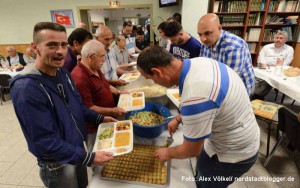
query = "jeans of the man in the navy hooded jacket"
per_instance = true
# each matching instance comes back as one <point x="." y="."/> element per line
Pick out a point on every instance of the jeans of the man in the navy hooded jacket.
<point x="56" y="175"/>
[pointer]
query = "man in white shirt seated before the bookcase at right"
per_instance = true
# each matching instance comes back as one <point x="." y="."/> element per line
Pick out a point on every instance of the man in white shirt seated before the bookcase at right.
<point x="268" y="57"/>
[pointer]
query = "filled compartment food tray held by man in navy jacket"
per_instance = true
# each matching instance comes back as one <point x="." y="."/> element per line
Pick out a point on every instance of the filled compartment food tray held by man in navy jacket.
<point x="115" y="137"/>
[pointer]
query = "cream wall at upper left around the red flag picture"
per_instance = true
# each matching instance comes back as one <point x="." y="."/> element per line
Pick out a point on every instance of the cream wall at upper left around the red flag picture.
<point x="18" y="17"/>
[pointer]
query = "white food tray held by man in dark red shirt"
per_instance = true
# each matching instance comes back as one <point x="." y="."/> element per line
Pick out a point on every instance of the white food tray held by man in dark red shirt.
<point x="129" y="101"/>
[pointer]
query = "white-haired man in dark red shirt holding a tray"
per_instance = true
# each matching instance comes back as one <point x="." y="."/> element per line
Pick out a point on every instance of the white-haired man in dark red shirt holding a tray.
<point x="97" y="94"/>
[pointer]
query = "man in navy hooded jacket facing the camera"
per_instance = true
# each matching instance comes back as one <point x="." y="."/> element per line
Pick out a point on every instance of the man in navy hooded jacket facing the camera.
<point x="51" y="113"/>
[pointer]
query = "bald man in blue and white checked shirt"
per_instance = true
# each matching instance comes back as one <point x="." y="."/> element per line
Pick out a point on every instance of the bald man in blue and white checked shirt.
<point x="226" y="48"/>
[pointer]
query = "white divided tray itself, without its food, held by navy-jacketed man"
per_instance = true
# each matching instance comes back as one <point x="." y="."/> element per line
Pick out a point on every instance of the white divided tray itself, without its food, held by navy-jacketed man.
<point x="111" y="147"/>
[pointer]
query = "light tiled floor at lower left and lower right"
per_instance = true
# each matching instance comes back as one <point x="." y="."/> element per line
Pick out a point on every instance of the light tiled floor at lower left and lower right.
<point x="18" y="168"/>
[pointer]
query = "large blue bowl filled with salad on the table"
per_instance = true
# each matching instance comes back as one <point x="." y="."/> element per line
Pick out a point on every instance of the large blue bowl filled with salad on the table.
<point x="151" y="121"/>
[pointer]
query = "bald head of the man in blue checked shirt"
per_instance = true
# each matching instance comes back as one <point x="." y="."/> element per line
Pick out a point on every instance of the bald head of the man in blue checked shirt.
<point x="209" y="29"/>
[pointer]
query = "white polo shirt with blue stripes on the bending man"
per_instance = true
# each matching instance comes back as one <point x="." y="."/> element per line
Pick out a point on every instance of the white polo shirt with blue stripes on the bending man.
<point x="215" y="106"/>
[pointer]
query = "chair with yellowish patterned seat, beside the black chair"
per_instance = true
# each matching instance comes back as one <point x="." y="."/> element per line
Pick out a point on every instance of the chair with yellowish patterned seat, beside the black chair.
<point x="267" y="112"/>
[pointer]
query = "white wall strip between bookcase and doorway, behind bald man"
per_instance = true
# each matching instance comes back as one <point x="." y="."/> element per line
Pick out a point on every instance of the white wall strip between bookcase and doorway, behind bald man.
<point x="191" y="12"/>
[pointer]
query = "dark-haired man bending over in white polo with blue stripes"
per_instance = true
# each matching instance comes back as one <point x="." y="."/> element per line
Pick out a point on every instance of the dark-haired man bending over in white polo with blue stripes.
<point x="219" y="125"/>
